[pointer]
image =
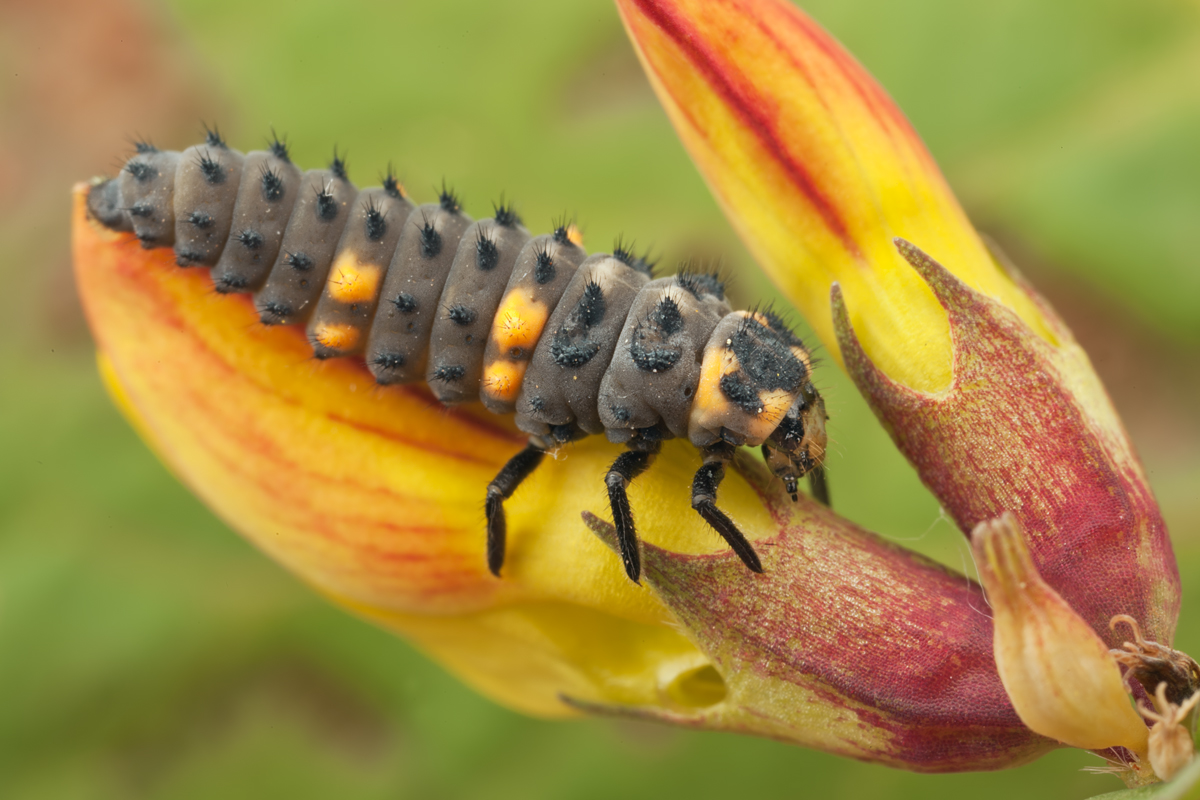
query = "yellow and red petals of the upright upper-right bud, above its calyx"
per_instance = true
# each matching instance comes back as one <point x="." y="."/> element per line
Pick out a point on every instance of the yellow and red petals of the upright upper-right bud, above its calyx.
<point x="818" y="170"/>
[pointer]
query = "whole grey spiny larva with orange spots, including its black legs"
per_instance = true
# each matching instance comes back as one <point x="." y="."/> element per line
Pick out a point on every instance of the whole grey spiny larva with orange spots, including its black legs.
<point x="425" y="293"/>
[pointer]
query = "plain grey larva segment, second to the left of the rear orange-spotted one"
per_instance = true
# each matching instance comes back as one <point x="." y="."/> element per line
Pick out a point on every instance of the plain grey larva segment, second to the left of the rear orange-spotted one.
<point x="266" y="199"/>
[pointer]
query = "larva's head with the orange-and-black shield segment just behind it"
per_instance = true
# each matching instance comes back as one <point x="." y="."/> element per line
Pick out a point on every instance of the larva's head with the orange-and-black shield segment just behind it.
<point x="755" y="389"/>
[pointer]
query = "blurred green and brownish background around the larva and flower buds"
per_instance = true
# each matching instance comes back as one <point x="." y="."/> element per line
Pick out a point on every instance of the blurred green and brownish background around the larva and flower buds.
<point x="147" y="652"/>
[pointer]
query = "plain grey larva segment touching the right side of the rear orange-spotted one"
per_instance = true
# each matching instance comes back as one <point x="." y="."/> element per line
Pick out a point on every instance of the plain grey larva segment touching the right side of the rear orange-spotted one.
<point x="399" y="345"/>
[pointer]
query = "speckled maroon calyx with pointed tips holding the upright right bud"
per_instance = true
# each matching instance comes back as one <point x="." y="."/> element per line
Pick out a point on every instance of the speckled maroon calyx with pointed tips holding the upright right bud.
<point x="1027" y="428"/>
